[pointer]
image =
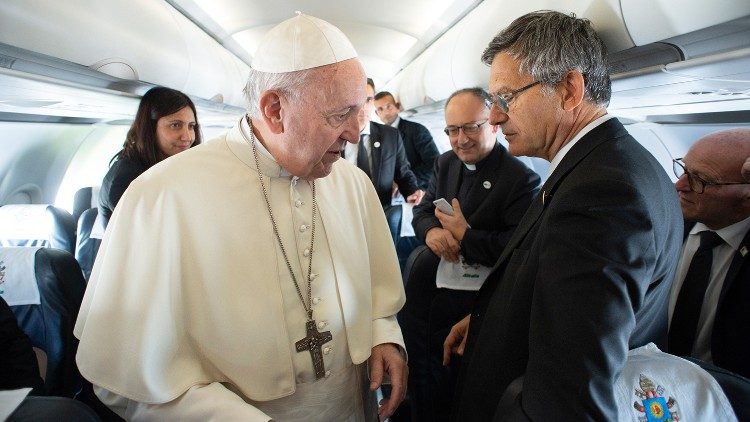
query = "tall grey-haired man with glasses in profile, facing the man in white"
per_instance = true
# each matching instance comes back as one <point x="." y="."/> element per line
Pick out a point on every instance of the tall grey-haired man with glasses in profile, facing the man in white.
<point x="587" y="273"/>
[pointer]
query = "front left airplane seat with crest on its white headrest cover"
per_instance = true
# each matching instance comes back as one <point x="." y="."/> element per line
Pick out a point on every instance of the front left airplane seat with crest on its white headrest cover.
<point x="44" y="288"/>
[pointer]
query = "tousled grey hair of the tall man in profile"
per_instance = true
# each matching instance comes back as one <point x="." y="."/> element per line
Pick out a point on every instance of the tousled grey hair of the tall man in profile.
<point x="548" y="44"/>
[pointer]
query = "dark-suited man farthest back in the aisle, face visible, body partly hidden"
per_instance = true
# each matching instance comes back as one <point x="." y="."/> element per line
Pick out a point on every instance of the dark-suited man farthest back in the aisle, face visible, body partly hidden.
<point x="421" y="150"/>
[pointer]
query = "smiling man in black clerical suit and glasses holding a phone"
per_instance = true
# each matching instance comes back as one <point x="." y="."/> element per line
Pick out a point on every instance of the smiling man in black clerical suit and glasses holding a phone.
<point x="490" y="191"/>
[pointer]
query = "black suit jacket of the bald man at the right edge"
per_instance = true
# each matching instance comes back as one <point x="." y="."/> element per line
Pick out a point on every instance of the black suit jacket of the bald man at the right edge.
<point x="730" y="339"/>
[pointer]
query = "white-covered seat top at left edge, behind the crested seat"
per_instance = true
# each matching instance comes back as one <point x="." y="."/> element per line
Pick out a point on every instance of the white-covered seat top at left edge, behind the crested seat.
<point x="37" y="225"/>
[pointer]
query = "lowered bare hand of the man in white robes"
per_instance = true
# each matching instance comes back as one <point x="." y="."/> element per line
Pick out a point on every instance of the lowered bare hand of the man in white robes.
<point x="387" y="359"/>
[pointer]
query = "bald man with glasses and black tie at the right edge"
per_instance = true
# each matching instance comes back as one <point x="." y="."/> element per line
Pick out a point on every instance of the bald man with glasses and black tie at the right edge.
<point x="709" y="317"/>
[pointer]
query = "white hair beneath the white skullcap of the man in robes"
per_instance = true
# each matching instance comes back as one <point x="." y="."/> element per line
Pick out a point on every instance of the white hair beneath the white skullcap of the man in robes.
<point x="290" y="84"/>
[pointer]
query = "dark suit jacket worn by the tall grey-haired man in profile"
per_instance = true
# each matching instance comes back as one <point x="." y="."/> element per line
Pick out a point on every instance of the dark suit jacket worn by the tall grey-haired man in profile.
<point x="585" y="277"/>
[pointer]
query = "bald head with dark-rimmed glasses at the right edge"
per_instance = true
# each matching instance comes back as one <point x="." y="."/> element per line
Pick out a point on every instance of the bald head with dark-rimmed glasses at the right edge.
<point x="717" y="160"/>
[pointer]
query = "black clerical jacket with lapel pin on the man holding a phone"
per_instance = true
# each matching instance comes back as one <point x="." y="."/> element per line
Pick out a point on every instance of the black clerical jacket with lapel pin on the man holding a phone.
<point x="492" y="213"/>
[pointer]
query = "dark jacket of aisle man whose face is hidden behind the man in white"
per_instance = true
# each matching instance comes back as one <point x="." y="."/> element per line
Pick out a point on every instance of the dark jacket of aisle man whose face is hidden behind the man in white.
<point x="389" y="163"/>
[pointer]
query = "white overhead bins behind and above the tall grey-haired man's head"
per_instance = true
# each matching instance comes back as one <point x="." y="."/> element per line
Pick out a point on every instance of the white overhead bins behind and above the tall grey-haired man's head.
<point x="454" y="59"/>
